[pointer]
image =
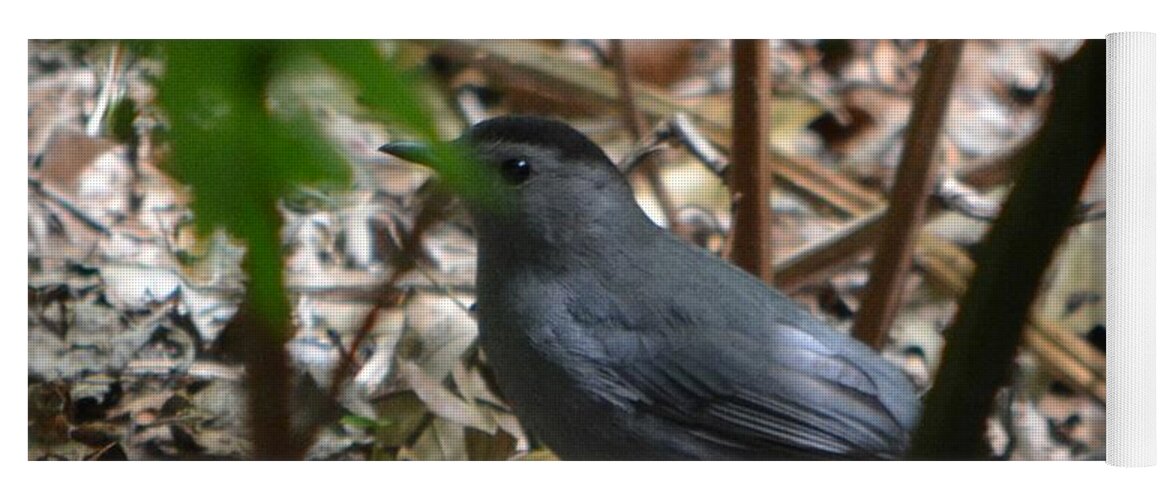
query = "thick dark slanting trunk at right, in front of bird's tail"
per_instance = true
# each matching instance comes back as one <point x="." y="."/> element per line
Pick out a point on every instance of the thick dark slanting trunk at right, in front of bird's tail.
<point x="984" y="338"/>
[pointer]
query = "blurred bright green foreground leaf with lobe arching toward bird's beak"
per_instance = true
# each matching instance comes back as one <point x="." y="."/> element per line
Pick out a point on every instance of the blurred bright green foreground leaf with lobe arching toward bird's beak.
<point x="239" y="157"/>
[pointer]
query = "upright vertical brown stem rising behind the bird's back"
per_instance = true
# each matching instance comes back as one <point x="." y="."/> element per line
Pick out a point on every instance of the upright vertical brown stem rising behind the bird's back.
<point x="751" y="182"/>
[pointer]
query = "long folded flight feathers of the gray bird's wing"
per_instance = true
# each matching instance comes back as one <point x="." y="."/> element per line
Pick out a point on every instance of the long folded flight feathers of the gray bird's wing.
<point x="799" y="396"/>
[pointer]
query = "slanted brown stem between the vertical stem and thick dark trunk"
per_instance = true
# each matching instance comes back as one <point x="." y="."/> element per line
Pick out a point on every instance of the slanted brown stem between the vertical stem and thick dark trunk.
<point x="909" y="197"/>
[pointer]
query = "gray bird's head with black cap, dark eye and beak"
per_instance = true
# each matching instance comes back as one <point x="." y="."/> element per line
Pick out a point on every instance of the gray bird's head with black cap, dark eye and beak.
<point x="532" y="173"/>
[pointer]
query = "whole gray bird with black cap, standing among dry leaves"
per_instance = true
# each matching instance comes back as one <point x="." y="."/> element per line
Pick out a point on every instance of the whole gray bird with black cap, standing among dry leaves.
<point x="615" y="340"/>
